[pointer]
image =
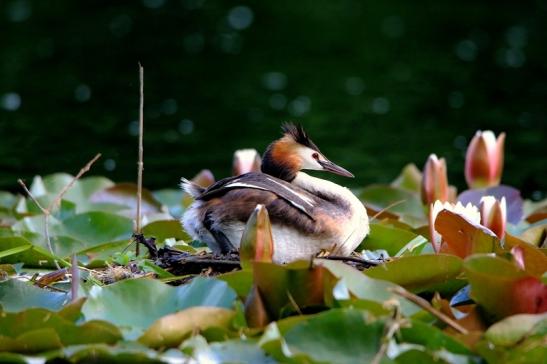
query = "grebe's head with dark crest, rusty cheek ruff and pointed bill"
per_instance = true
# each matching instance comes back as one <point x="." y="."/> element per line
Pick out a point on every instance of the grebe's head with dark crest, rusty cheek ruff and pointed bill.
<point x="295" y="151"/>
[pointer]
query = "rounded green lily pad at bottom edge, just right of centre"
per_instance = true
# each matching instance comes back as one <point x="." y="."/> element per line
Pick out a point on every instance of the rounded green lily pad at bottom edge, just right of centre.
<point x="337" y="336"/>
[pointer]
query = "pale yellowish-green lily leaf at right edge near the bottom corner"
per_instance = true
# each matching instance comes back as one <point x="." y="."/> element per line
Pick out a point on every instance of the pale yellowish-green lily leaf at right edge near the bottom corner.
<point x="513" y="329"/>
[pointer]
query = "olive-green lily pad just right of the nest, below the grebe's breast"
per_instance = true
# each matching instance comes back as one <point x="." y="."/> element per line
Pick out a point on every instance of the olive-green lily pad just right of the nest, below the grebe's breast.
<point x="419" y="273"/>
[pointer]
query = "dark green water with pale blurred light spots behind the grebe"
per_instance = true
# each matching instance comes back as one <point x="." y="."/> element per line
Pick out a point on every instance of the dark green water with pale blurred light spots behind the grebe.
<point x="377" y="84"/>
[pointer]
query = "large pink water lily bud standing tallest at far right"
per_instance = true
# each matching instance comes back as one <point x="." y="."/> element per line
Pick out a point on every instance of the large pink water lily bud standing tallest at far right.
<point x="484" y="160"/>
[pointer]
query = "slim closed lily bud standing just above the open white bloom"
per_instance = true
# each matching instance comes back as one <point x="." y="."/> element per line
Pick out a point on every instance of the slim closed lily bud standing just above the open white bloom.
<point x="434" y="180"/>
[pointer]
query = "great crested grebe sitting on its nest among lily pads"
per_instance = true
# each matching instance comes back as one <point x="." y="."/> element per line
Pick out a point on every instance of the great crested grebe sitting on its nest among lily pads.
<point x="308" y="214"/>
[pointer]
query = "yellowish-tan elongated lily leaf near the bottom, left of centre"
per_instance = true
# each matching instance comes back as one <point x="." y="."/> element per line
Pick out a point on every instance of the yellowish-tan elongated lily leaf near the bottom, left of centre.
<point x="170" y="330"/>
